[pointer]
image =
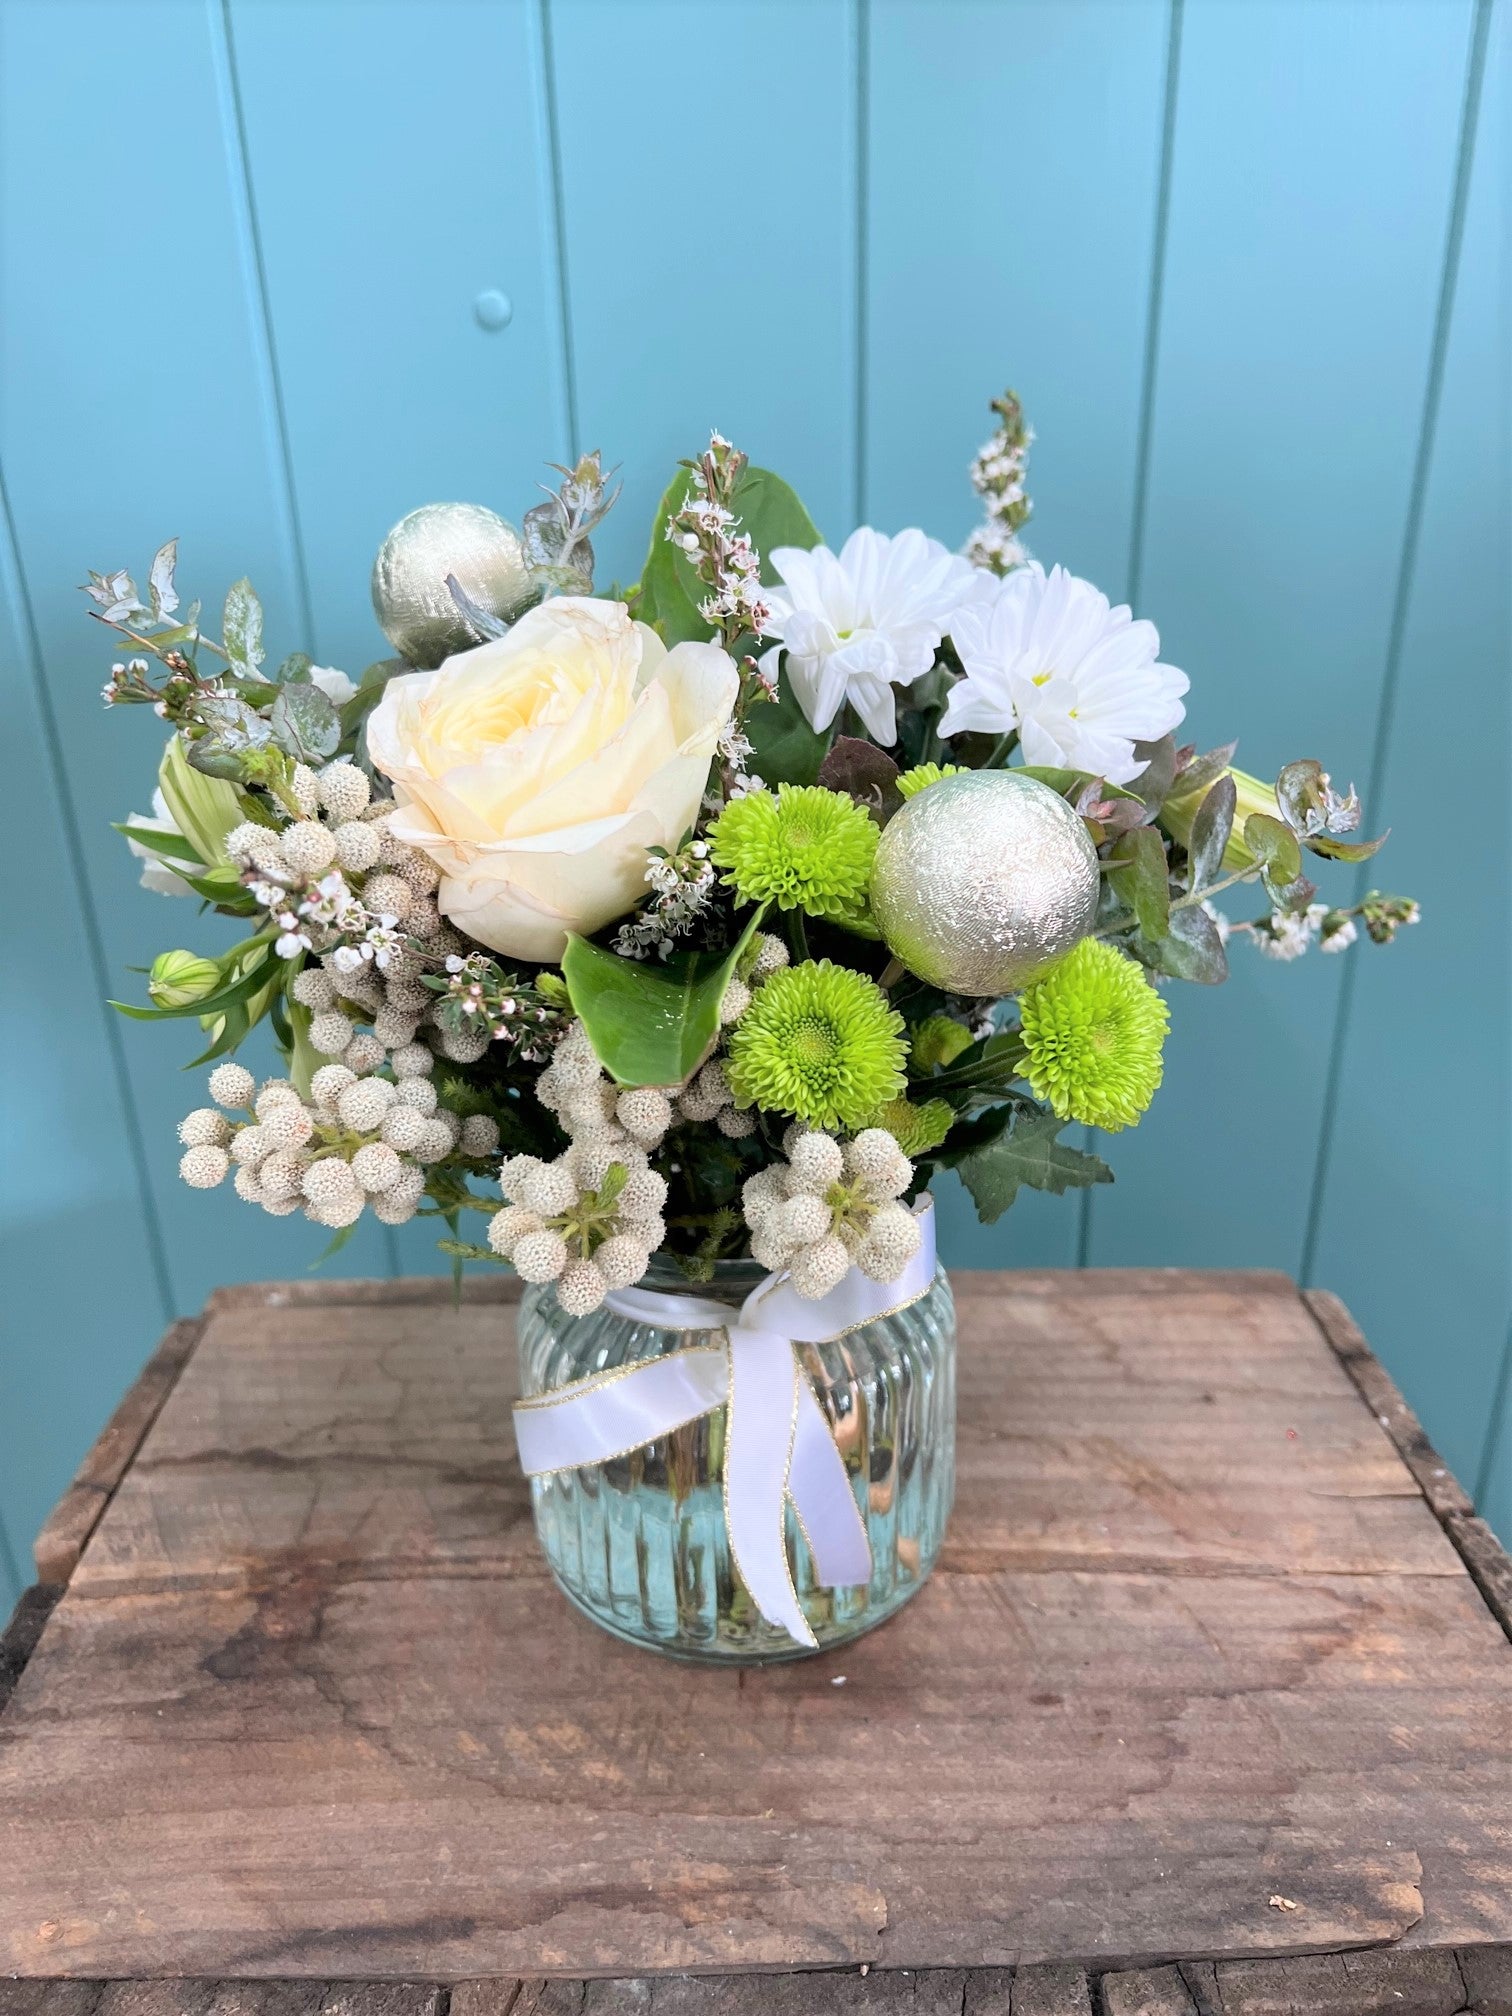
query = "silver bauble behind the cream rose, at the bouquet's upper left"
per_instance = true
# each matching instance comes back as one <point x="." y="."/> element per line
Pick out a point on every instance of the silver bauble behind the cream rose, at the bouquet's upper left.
<point x="410" y="596"/>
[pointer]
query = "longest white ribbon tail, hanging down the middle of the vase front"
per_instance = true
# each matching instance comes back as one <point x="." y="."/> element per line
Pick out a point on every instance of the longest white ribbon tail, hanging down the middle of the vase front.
<point x="761" y="1430"/>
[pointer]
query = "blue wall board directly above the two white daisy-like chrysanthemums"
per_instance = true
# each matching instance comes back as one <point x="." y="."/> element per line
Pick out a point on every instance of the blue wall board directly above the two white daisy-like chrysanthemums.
<point x="1011" y="215"/>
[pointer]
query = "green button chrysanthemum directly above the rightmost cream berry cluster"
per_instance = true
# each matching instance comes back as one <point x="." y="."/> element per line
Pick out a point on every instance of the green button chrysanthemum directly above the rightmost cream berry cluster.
<point x="822" y="1043"/>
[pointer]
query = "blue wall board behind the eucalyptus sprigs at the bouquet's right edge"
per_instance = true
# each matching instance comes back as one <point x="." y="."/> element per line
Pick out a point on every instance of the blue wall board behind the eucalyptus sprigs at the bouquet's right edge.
<point x="1313" y="168"/>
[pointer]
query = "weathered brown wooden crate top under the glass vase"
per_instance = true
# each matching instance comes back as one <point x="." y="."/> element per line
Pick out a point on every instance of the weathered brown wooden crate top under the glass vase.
<point x="1215" y="1670"/>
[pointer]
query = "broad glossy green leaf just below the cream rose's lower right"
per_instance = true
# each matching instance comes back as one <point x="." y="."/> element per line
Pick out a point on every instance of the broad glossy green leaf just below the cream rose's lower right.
<point x="650" y="1025"/>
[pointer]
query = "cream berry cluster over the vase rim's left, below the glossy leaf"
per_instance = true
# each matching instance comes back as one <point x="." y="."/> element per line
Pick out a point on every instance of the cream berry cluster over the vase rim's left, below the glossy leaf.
<point x="592" y="1219"/>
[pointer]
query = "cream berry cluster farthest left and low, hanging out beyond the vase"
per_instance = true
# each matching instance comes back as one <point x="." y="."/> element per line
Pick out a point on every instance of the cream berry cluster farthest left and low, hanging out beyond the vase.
<point x="360" y="1140"/>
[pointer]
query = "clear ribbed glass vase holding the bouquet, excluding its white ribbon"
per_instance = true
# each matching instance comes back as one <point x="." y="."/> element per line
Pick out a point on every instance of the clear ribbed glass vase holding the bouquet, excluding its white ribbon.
<point x="640" y="1543"/>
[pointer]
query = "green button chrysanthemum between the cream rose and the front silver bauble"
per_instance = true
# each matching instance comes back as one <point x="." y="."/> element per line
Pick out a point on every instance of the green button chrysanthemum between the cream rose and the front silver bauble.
<point x="803" y="848"/>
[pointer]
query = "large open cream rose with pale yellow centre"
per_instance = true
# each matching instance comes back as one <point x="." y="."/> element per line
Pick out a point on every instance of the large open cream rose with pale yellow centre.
<point x="537" y="771"/>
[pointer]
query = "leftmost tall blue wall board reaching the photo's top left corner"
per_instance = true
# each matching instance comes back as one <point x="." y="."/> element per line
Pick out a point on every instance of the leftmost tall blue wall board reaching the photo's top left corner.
<point x="134" y="408"/>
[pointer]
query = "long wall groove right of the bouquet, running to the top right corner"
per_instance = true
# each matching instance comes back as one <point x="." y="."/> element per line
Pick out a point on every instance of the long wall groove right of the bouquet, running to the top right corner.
<point x="1402" y="598"/>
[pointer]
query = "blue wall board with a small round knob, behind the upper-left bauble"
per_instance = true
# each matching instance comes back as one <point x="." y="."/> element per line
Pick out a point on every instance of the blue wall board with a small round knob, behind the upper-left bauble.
<point x="426" y="188"/>
